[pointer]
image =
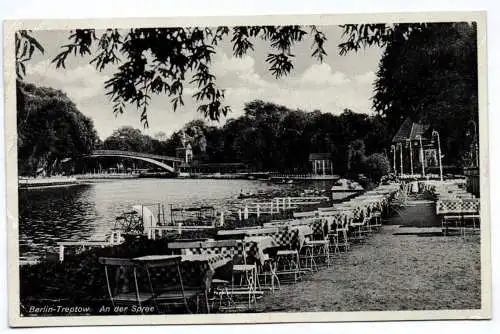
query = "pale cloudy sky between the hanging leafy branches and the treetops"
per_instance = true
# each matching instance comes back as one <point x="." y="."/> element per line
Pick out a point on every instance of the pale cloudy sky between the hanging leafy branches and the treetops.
<point x="338" y="82"/>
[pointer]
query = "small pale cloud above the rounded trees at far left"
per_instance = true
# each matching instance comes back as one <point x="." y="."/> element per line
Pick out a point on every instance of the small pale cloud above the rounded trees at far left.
<point x="80" y="83"/>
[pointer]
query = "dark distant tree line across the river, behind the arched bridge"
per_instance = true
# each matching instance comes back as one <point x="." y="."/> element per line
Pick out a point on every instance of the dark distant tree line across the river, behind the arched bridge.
<point x="271" y="137"/>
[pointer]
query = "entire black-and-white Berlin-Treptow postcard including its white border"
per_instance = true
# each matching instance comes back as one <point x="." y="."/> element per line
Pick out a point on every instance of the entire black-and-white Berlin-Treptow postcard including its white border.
<point x="213" y="170"/>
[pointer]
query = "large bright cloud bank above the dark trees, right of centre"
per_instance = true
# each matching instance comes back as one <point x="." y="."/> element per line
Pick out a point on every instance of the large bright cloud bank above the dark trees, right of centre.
<point x="317" y="87"/>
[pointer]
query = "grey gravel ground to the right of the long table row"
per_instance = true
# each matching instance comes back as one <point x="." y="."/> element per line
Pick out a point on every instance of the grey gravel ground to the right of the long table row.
<point x="390" y="272"/>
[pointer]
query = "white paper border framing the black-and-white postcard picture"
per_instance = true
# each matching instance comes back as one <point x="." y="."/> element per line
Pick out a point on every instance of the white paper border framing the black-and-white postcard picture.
<point x="248" y="318"/>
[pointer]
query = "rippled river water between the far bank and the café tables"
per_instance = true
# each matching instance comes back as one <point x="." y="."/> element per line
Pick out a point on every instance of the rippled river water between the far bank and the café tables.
<point x="48" y="216"/>
